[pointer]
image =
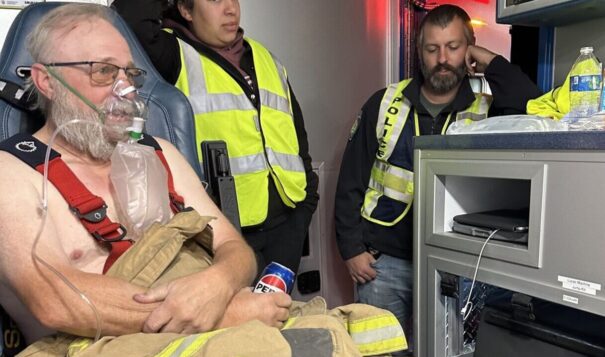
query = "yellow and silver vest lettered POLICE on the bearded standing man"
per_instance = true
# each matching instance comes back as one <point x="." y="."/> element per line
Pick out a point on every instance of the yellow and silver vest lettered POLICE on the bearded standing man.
<point x="390" y="191"/>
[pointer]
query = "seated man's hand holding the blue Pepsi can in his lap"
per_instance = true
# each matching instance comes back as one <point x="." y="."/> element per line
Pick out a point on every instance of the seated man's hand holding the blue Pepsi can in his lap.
<point x="269" y="308"/>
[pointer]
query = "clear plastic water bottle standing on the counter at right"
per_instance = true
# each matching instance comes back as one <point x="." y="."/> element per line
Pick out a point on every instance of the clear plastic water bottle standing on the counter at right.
<point x="585" y="84"/>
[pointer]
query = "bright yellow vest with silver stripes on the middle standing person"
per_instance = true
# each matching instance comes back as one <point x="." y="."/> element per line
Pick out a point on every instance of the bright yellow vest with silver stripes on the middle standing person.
<point x="259" y="143"/>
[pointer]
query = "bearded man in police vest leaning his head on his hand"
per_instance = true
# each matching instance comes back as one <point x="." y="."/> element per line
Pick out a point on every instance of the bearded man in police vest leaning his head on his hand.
<point x="376" y="182"/>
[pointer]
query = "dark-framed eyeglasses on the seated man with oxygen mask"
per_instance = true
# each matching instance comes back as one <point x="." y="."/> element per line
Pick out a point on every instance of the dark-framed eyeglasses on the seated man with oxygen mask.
<point x="104" y="73"/>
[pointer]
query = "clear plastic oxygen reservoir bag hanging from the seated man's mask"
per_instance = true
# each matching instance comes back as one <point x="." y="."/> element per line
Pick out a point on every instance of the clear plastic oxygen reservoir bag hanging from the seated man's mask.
<point x="139" y="178"/>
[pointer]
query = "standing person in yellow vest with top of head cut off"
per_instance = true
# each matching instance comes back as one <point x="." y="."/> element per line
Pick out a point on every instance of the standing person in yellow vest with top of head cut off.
<point x="240" y="94"/>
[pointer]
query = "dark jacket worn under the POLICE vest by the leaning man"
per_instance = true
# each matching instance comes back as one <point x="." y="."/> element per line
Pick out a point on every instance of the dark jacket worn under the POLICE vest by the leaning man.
<point x="511" y="89"/>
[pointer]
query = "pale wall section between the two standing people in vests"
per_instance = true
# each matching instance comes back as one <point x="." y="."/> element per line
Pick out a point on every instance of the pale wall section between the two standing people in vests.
<point x="337" y="52"/>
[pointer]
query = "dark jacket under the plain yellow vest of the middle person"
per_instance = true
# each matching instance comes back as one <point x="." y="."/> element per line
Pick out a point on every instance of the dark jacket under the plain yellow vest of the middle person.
<point x="144" y="17"/>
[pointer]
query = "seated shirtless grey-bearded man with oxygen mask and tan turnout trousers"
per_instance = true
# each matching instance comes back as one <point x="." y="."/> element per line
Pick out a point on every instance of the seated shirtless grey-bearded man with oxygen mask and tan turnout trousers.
<point x="92" y="253"/>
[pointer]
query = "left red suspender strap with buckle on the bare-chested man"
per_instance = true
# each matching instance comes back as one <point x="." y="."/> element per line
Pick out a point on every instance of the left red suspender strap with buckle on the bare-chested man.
<point x="90" y="209"/>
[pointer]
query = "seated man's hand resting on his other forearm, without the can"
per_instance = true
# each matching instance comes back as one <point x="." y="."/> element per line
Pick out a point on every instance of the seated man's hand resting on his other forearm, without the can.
<point x="191" y="304"/>
